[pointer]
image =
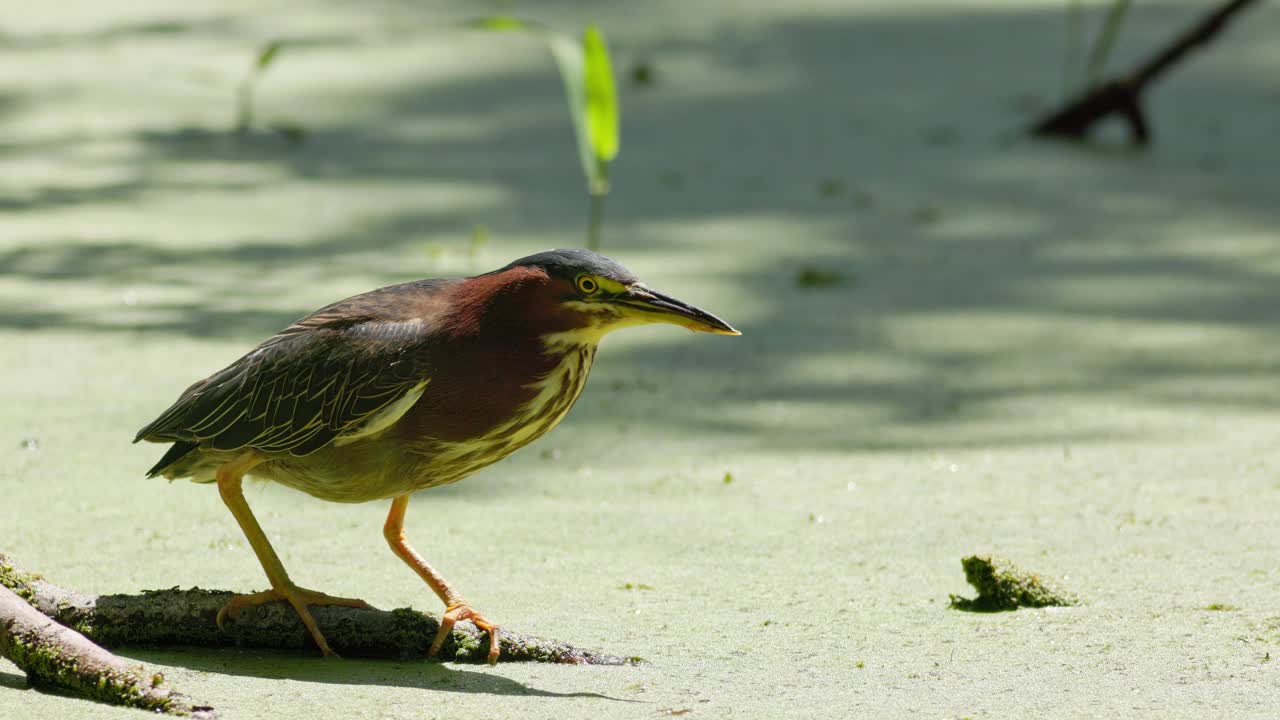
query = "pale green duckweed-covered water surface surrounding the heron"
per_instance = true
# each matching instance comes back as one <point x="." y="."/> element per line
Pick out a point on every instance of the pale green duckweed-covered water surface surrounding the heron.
<point x="957" y="338"/>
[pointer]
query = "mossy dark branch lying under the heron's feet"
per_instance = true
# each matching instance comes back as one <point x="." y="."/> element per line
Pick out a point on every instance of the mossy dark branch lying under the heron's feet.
<point x="188" y="618"/>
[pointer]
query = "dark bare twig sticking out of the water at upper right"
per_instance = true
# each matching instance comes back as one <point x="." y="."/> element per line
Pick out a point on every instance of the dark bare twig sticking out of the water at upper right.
<point x="1123" y="95"/>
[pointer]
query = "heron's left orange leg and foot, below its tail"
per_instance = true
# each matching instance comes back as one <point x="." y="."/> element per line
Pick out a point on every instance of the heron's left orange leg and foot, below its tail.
<point x="230" y="486"/>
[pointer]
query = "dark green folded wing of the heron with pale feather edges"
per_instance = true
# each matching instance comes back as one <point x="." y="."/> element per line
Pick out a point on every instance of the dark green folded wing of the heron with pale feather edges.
<point x="327" y="376"/>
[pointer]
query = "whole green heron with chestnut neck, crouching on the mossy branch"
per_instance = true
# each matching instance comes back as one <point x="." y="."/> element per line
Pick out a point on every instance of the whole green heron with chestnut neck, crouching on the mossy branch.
<point x="404" y="389"/>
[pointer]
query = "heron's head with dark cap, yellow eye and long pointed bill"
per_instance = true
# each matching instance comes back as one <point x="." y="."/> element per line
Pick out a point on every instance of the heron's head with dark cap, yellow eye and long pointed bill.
<point x="592" y="295"/>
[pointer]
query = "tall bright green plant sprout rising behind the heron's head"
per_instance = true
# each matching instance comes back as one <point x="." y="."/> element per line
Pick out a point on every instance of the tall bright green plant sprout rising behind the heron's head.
<point x="591" y="92"/>
